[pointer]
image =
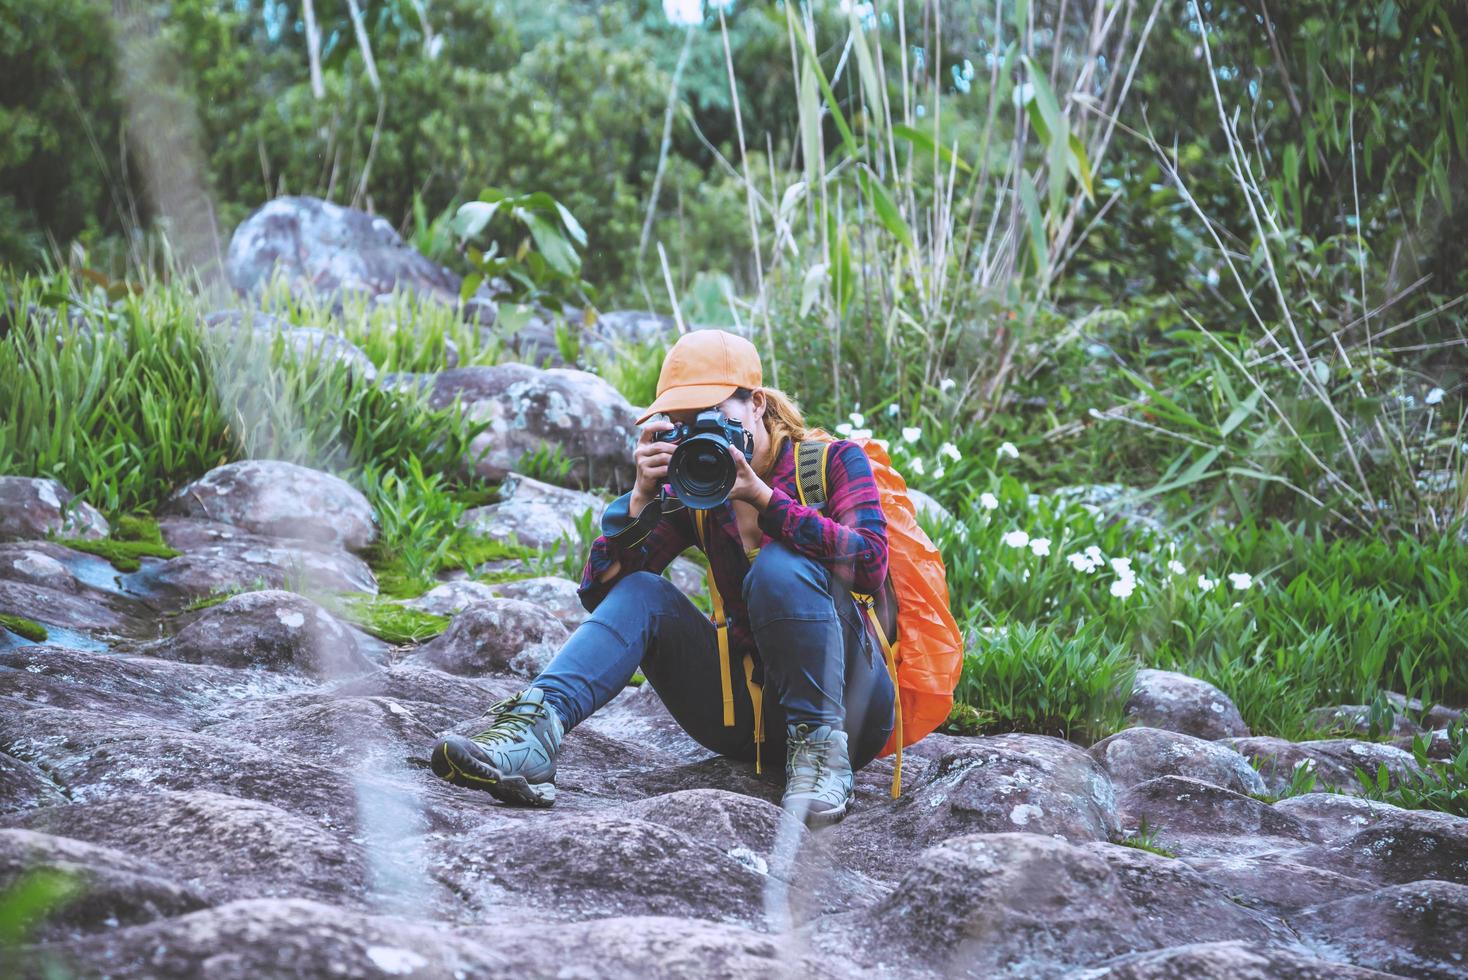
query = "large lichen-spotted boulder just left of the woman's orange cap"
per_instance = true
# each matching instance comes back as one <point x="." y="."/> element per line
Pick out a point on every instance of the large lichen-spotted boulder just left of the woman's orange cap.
<point x="532" y="410"/>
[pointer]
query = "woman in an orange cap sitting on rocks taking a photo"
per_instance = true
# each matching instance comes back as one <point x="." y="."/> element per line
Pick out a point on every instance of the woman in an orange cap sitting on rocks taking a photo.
<point x="813" y="673"/>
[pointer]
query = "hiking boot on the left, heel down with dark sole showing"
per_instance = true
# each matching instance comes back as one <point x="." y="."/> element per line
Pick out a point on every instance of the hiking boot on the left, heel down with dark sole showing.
<point x="513" y="759"/>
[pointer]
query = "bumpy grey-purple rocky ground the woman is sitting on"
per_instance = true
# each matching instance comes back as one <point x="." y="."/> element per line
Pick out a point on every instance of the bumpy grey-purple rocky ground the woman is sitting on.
<point x="246" y="793"/>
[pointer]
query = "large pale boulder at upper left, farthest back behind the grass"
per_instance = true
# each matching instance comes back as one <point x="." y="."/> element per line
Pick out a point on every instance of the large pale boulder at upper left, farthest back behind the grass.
<point x="322" y="247"/>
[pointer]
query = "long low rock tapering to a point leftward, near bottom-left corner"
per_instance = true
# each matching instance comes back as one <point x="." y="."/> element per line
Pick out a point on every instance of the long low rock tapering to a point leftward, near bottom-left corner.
<point x="222" y="846"/>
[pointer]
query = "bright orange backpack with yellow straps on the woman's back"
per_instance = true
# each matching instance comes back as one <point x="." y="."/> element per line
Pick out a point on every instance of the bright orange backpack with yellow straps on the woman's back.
<point x="920" y="637"/>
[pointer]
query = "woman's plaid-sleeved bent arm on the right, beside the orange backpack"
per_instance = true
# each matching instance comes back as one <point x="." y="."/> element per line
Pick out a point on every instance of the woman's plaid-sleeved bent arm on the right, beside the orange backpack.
<point x="854" y="539"/>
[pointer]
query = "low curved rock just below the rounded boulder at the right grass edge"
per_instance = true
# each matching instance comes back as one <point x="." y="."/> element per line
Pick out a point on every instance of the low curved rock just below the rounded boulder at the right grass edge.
<point x="1137" y="755"/>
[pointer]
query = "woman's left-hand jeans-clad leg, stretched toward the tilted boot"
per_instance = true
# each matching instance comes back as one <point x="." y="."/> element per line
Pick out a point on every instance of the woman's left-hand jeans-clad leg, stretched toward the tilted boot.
<point x="647" y="621"/>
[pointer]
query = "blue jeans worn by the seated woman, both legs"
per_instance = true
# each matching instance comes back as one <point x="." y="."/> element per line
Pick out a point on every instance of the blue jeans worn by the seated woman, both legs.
<point x="823" y="662"/>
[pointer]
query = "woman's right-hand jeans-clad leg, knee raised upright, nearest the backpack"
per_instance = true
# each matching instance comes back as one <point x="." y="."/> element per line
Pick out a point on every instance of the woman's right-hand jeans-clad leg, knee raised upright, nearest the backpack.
<point x="823" y="665"/>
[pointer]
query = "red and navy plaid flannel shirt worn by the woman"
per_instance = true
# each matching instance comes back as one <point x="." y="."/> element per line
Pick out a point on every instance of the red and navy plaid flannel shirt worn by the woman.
<point x="852" y="541"/>
